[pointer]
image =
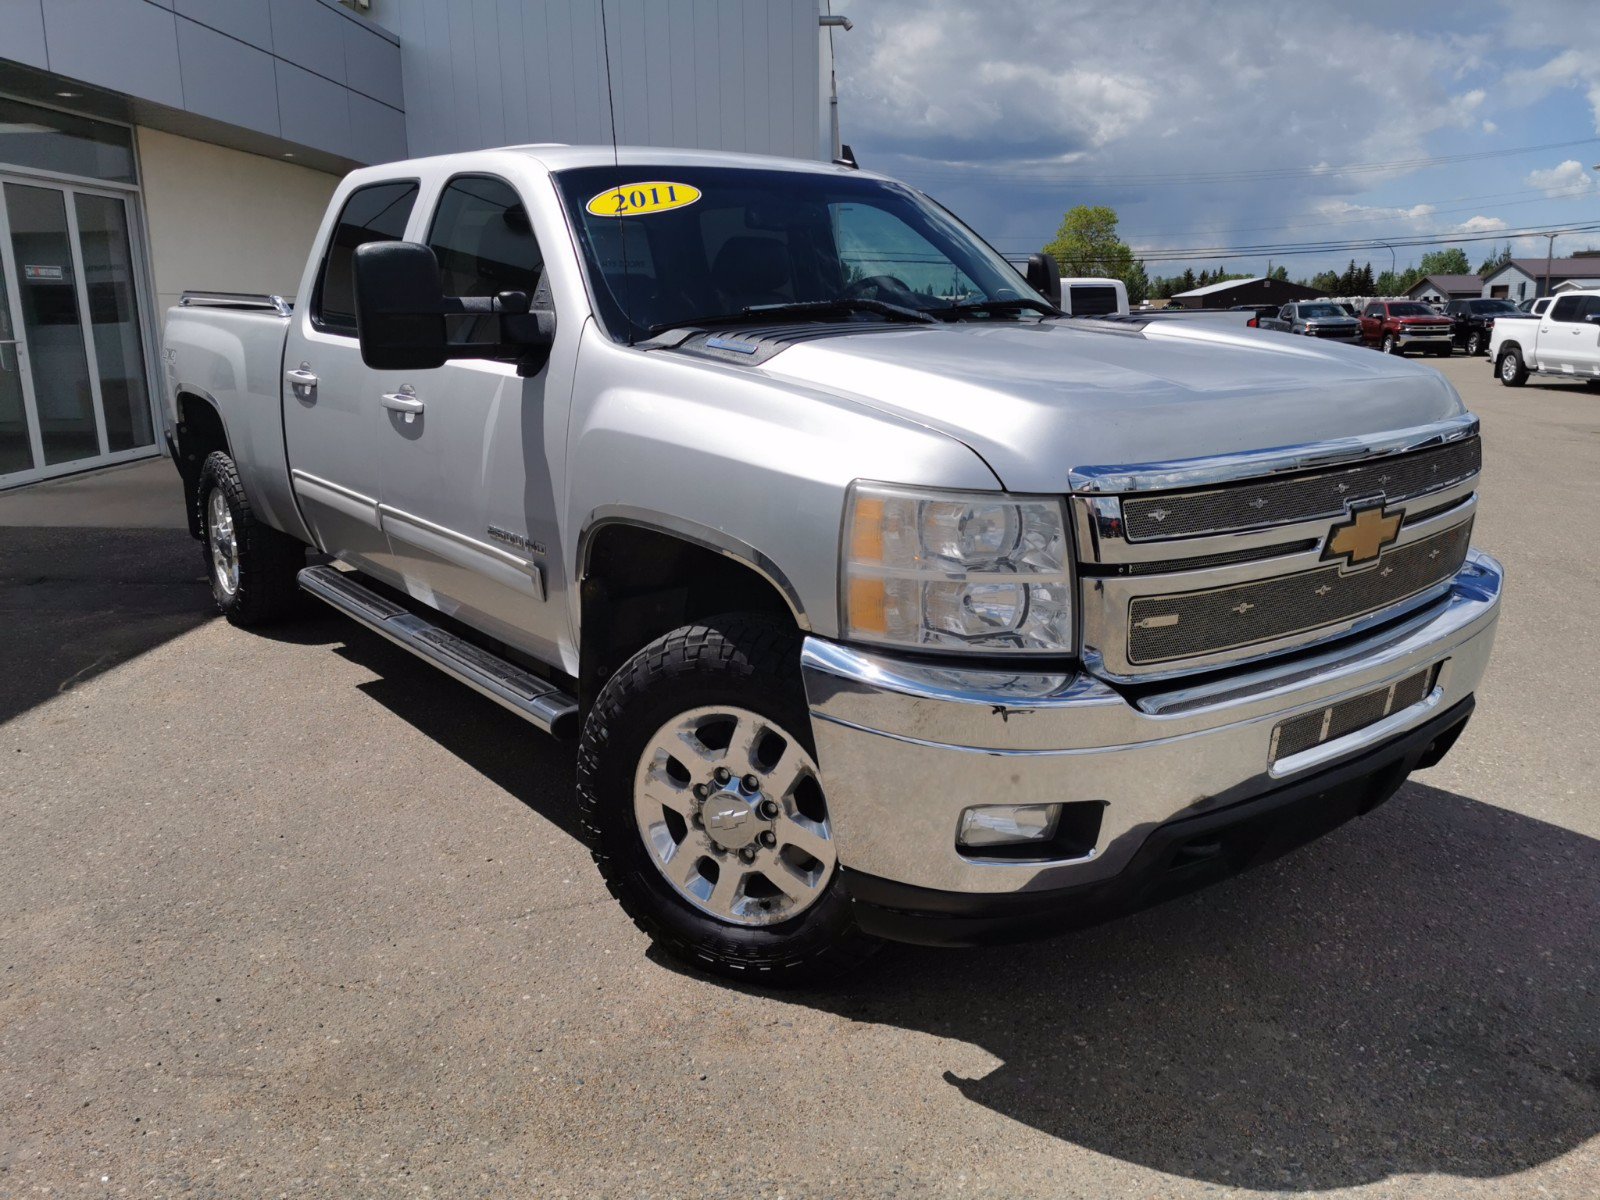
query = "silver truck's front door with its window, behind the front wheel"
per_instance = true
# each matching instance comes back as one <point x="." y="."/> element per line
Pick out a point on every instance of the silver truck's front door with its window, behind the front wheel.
<point x="466" y="486"/>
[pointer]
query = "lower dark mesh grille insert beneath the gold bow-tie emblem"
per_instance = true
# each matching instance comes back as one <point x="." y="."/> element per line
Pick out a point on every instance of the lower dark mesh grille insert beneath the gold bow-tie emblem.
<point x="1191" y="625"/>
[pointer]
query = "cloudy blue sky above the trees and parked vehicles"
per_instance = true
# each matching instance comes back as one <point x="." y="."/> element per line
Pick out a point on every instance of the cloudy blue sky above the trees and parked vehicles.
<point x="1014" y="111"/>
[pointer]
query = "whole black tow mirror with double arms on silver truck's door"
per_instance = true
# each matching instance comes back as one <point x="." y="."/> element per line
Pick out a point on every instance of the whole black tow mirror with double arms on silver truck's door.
<point x="401" y="311"/>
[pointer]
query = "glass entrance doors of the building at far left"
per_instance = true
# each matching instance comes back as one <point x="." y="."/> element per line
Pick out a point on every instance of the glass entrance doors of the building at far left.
<point x="74" y="380"/>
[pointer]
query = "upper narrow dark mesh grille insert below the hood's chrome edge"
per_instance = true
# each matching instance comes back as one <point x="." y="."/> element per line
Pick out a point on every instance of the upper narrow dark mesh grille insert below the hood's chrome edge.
<point x="1266" y="503"/>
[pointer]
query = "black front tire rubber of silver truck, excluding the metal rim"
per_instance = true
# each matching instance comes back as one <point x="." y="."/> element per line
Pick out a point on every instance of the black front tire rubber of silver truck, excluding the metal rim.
<point x="737" y="660"/>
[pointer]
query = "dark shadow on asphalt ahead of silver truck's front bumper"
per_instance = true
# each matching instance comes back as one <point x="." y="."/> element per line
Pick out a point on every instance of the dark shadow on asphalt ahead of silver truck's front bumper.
<point x="1420" y="993"/>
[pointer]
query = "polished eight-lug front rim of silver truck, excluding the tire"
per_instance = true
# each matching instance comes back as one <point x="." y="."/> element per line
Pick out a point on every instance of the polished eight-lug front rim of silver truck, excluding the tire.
<point x="730" y="809"/>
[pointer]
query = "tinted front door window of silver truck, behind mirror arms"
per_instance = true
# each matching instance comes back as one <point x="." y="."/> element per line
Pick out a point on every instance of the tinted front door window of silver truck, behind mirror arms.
<point x="486" y="246"/>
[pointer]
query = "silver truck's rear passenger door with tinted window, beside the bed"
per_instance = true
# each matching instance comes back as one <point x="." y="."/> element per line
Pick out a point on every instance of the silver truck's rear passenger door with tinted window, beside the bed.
<point x="334" y="423"/>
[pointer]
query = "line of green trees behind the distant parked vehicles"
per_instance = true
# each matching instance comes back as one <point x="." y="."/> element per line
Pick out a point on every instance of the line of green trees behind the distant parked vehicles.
<point x="1087" y="244"/>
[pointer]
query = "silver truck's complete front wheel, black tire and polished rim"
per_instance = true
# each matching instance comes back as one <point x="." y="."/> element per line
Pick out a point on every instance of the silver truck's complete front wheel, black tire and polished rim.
<point x="705" y="809"/>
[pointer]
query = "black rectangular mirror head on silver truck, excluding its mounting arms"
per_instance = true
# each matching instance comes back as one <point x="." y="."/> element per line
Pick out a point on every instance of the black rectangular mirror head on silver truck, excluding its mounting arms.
<point x="399" y="308"/>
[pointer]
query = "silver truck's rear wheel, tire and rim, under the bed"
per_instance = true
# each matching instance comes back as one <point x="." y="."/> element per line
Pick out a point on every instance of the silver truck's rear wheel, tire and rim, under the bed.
<point x="252" y="567"/>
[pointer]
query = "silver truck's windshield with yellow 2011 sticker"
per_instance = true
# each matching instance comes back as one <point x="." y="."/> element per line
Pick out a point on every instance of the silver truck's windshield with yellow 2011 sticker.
<point x="678" y="246"/>
